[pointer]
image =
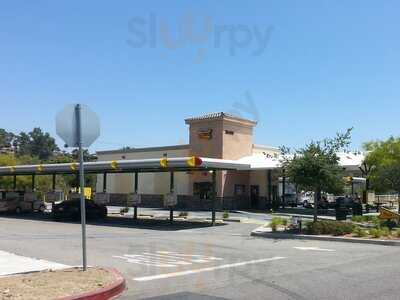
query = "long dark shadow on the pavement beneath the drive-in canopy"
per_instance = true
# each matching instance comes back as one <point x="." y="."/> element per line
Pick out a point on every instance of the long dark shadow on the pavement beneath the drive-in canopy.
<point x="114" y="221"/>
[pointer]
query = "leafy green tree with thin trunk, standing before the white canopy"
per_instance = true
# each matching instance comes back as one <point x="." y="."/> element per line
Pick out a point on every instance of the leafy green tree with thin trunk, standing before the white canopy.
<point x="316" y="166"/>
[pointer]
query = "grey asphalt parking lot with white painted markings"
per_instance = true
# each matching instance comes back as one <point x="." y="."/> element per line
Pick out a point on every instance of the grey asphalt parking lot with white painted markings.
<point x="192" y="261"/>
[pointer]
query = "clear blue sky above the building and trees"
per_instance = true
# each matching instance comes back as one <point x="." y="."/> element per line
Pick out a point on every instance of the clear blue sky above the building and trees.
<point x="327" y="66"/>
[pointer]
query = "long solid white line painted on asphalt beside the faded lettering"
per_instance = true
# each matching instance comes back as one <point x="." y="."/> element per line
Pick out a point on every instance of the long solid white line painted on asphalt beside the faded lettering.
<point x="191" y="272"/>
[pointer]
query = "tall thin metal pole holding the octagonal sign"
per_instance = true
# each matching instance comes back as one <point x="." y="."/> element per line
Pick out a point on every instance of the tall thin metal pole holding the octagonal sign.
<point x="82" y="184"/>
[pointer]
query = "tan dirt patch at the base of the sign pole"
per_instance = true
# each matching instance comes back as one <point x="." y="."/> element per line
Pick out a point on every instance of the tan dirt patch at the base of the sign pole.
<point x="53" y="284"/>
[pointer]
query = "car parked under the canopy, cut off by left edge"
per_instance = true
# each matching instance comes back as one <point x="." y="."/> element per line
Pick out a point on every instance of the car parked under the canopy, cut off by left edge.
<point x="19" y="202"/>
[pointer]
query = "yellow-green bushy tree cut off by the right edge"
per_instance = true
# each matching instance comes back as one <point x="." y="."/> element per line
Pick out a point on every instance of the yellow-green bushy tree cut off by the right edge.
<point x="384" y="159"/>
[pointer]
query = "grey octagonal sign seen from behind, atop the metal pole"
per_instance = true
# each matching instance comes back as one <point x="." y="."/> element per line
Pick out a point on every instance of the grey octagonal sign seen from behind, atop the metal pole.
<point x="66" y="125"/>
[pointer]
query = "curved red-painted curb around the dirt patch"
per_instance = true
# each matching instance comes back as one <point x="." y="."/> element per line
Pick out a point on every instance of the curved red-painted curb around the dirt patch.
<point x="109" y="292"/>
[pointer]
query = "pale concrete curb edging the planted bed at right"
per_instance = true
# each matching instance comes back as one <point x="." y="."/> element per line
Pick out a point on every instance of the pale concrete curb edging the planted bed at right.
<point x="277" y="235"/>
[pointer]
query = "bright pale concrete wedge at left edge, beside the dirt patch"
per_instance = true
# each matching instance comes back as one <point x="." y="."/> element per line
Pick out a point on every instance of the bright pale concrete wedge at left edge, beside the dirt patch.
<point x="14" y="264"/>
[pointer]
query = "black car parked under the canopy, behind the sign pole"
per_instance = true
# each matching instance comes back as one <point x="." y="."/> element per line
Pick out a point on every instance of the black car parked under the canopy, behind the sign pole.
<point x="71" y="210"/>
